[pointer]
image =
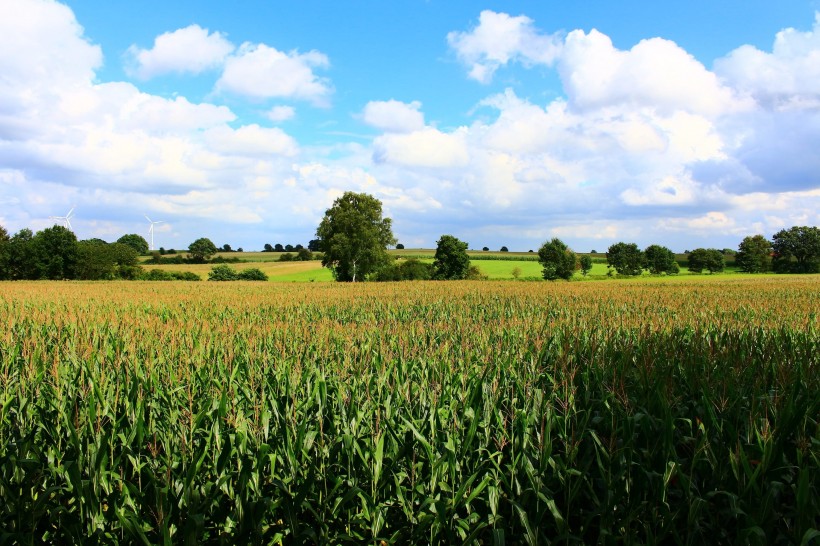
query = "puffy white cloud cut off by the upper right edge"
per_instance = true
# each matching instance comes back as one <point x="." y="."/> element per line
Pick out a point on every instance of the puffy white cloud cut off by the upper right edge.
<point x="789" y="76"/>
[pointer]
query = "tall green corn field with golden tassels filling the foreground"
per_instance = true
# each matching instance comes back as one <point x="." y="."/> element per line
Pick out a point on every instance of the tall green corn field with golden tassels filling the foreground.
<point x="681" y="412"/>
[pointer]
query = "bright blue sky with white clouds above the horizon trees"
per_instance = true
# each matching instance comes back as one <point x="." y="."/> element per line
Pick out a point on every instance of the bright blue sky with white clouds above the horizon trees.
<point x="686" y="124"/>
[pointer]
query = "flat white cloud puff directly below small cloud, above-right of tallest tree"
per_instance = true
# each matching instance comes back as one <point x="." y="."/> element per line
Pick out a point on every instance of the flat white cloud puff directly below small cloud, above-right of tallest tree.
<point x="424" y="148"/>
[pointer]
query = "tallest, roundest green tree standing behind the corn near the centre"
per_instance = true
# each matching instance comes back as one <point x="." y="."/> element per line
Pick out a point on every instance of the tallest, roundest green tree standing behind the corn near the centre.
<point x="354" y="237"/>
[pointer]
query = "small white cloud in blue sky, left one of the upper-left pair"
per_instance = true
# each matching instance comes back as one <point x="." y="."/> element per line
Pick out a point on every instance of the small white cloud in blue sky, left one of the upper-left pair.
<point x="192" y="49"/>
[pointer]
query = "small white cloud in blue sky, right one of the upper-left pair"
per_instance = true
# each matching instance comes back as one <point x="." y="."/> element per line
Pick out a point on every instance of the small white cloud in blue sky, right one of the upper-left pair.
<point x="259" y="71"/>
